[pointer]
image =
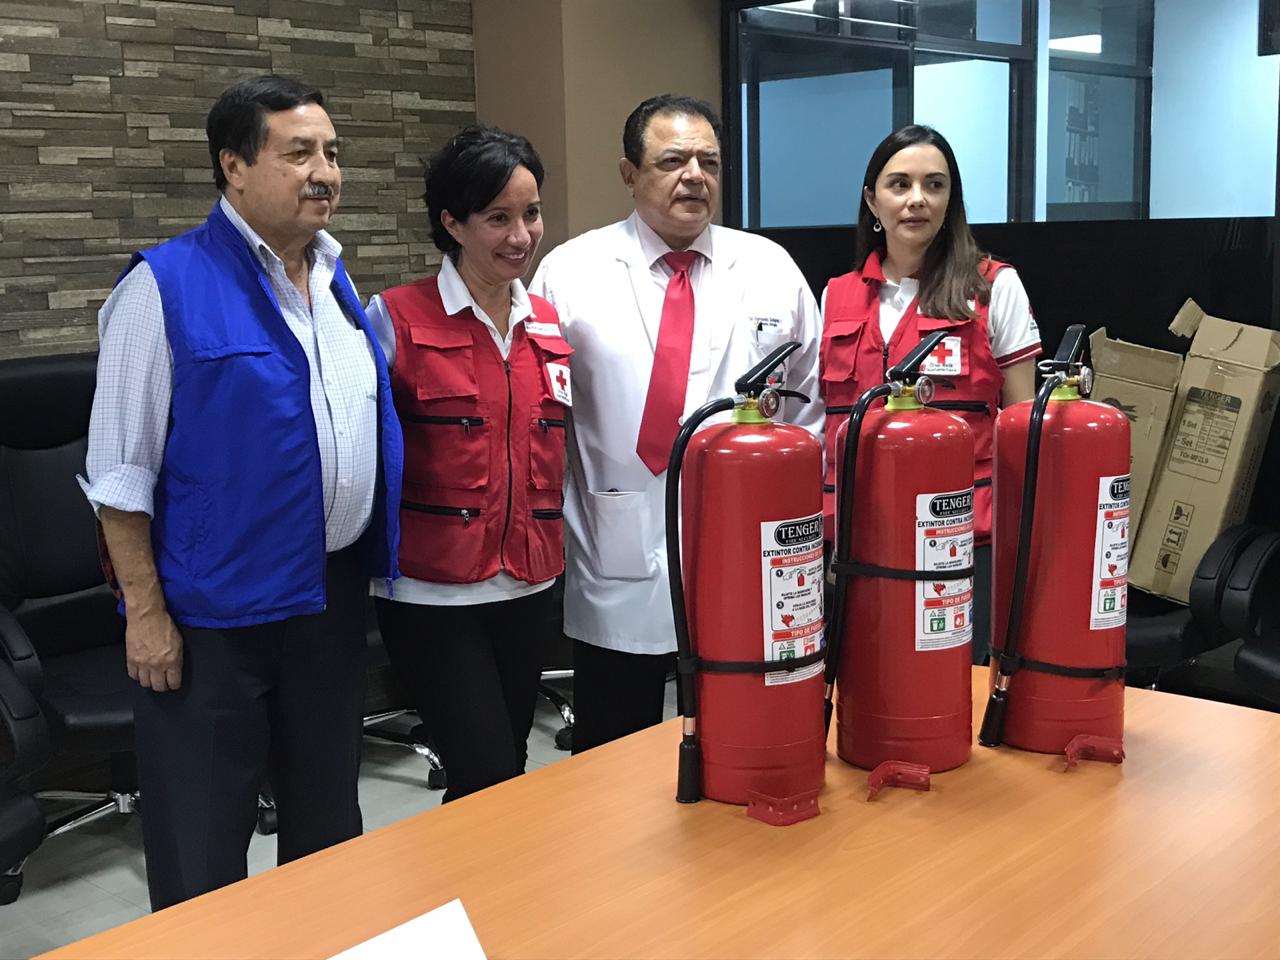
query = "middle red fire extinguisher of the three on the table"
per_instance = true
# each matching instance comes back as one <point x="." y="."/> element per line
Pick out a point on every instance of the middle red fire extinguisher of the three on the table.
<point x="903" y="609"/>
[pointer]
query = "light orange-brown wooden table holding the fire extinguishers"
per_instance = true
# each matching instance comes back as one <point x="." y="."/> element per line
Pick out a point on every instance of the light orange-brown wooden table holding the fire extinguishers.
<point x="1174" y="854"/>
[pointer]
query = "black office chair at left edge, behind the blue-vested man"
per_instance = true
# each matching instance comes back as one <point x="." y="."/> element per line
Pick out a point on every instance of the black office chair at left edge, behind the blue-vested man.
<point x="60" y="629"/>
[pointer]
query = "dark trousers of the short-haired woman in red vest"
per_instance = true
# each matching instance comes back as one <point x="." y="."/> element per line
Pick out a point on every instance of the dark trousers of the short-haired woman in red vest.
<point x="473" y="674"/>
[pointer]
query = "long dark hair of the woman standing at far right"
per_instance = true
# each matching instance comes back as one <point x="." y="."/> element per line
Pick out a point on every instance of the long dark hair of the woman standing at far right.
<point x="949" y="276"/>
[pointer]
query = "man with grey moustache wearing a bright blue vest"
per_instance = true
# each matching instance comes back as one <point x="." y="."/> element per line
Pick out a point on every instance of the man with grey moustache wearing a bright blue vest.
<point x="243" y="458"/>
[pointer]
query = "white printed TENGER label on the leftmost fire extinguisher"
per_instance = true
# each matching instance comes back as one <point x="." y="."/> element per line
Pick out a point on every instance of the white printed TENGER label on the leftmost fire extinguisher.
<point x="792" y="577"/>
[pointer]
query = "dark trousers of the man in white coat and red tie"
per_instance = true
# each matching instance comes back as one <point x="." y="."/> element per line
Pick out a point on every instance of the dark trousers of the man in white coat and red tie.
<point x="616" y="694"/>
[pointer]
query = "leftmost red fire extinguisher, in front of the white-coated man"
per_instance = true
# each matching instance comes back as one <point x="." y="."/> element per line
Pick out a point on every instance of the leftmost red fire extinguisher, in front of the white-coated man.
<point x="747" y="597"/>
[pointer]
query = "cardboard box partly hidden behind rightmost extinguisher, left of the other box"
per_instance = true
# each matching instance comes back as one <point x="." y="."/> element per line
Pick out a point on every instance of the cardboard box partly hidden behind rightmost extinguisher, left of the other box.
<point x="1141" y="383"/>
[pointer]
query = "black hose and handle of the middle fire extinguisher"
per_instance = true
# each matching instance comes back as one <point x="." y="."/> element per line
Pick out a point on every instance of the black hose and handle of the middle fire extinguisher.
<point x="906" y="372"/>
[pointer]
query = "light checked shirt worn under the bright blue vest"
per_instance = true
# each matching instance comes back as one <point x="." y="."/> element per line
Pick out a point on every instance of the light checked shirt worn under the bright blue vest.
<point x="130" y="423"/>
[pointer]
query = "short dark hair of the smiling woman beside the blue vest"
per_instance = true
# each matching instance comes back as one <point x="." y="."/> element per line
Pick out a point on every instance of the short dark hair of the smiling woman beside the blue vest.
<point x="469" y="172"/>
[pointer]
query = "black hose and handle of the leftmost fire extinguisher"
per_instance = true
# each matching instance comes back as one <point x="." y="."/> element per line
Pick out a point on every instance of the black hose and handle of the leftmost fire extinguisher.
<point x="689" y="778"/>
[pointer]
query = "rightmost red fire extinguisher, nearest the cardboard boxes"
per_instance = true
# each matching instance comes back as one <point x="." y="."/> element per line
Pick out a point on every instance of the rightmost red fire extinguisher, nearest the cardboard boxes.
<point x="1062" y="550"/>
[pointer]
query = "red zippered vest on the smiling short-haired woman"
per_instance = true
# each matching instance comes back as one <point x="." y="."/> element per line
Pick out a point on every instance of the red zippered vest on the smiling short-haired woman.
<point x="484" y="442"/>
